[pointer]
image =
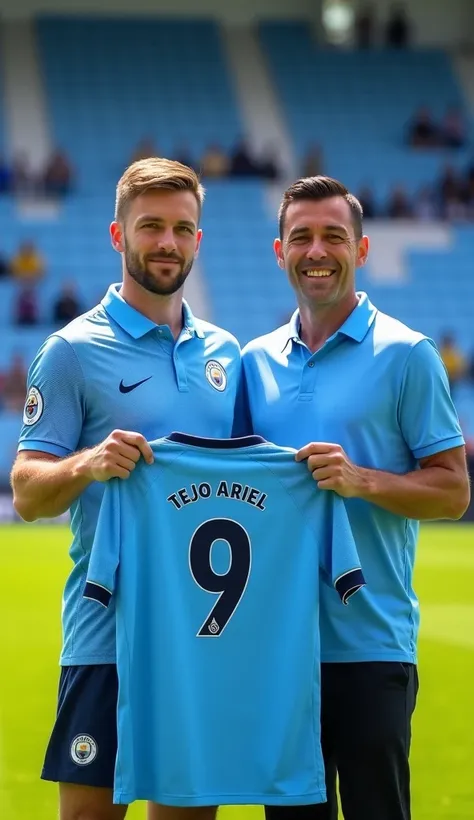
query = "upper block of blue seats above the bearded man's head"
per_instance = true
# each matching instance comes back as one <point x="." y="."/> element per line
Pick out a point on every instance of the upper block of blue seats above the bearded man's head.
<point x="111" y="82"/>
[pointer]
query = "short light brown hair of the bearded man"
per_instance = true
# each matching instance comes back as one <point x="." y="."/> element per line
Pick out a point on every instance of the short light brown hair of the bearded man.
<point x="156" y="173"/>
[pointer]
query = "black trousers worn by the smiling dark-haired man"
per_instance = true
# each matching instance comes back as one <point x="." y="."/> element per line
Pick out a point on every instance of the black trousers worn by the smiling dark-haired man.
<point x="366" y="711"/>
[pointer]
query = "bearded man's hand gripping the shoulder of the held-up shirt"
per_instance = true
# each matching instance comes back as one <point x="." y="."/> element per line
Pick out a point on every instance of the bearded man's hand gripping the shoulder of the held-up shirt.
<point x="117" y="455"/>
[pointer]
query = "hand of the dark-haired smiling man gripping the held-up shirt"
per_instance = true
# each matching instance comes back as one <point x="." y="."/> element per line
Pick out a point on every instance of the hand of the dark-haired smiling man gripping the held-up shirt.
<point x="332" y="469"/>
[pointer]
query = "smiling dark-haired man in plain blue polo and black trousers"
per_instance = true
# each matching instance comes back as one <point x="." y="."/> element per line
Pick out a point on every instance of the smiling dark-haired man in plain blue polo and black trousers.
<point x="372" y="397"/>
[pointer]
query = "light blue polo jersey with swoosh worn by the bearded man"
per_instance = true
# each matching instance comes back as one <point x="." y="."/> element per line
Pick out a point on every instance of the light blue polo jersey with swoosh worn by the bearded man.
<point x="113" y="368"/>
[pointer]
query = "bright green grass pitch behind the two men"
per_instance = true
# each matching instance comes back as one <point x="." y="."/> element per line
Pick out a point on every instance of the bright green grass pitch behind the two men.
<point x="33" y="566"/>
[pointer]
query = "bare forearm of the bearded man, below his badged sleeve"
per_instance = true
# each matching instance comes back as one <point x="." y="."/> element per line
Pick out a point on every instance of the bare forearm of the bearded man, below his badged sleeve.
<point x="46" y="489"/>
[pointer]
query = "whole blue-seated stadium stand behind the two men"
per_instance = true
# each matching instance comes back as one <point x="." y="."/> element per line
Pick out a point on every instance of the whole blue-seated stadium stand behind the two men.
<point x="366" y="97"/>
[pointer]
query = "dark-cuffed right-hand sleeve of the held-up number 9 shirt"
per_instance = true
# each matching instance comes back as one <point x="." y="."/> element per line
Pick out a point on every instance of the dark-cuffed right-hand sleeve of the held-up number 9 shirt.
<point x="339" y="558"/>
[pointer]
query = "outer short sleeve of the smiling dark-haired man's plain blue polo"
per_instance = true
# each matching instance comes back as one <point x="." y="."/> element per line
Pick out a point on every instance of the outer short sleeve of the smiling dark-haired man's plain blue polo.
<point x="427" y="417"/>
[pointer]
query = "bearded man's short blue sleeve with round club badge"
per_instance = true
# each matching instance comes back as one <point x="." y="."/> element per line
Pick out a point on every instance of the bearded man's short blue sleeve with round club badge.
<point x="54" y="409"/>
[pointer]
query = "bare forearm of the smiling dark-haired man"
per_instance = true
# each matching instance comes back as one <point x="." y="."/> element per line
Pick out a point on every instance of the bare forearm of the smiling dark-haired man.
<point x="428" y="494"/>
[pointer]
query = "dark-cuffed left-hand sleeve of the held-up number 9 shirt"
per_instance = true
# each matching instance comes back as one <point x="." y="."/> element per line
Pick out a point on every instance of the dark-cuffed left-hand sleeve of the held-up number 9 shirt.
<point x="105" y="553"/>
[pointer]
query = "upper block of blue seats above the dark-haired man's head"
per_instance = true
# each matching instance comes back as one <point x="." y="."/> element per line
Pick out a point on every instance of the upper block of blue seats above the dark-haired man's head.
<point x="356" y="104"/>
